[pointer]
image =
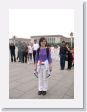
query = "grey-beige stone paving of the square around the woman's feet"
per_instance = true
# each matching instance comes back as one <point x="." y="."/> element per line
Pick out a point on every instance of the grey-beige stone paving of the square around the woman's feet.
<point x="24" y="85"/>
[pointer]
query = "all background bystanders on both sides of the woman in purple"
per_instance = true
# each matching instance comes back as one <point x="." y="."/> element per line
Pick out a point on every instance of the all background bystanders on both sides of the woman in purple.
<point x="25" y="53"/>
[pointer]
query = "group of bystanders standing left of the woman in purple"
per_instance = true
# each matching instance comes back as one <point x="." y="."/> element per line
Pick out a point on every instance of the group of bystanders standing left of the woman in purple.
<point x="23" y="52"/>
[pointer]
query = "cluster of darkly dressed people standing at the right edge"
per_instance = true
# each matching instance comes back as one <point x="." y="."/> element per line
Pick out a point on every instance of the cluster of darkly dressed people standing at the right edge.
<point x="66" y="54"/>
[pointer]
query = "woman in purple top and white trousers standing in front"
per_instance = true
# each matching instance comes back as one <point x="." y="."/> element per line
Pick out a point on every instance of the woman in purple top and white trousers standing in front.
<point x="43" y="65"/>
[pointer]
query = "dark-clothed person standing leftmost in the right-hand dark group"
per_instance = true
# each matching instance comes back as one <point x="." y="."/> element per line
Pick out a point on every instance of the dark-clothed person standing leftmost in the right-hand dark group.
<point x="62" y="54"/>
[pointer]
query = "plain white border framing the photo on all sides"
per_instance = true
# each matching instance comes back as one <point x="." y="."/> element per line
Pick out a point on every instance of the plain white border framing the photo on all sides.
<point x="77" y="102"/>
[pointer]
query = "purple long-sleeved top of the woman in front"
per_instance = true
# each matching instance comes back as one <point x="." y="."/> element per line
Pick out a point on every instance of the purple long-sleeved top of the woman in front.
<point x="43" y="56"/>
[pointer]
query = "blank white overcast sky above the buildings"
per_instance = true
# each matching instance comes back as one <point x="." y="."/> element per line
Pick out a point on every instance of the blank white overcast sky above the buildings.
<point x="24" y="23"/>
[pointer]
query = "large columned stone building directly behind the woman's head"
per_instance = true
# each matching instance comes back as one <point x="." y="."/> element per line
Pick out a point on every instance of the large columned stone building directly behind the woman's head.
<point x="53" y="38"/>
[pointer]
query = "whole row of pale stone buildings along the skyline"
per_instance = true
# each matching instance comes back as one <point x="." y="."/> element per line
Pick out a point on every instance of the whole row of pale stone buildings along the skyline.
<point x="51" y="39"/>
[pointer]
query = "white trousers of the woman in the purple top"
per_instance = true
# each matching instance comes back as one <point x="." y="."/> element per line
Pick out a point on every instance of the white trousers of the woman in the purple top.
<point x="42" y="78"/>
